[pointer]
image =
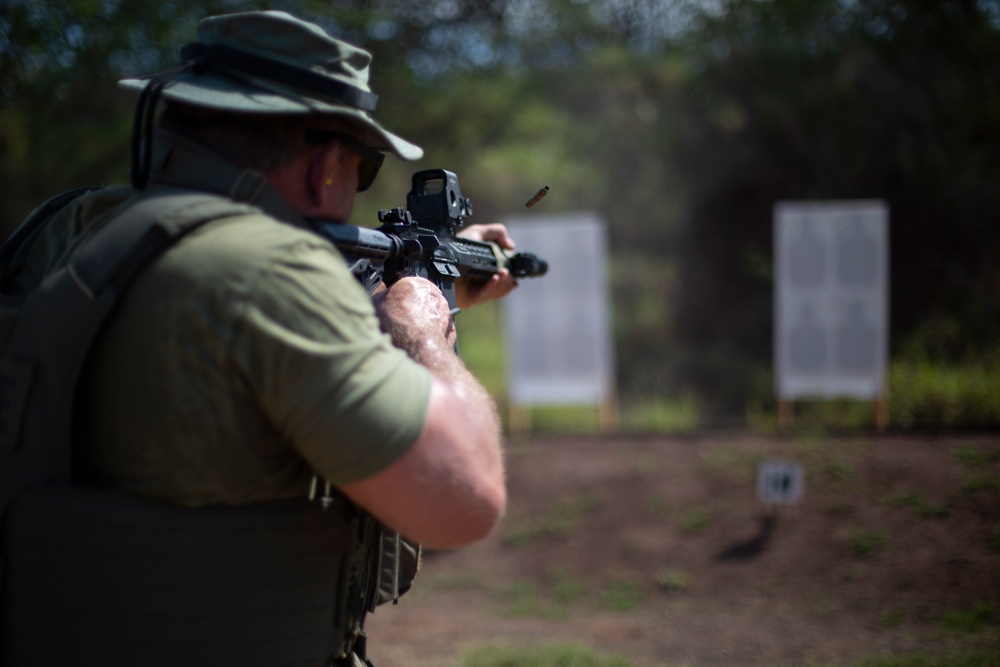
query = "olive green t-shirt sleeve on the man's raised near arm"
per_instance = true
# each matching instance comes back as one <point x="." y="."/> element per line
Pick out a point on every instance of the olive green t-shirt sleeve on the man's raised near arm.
<point x="310" y="350"/>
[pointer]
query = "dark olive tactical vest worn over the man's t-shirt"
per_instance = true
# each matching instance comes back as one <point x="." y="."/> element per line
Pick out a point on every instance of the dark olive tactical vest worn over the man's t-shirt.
<point x="93" y="576"/>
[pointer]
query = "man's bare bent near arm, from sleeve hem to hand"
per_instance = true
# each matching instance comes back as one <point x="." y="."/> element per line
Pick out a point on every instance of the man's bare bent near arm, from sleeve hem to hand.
<point x="448" y="490"/>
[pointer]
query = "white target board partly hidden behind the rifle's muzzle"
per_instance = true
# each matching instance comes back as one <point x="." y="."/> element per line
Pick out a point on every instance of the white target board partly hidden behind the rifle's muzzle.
<point x="557" y="327"/>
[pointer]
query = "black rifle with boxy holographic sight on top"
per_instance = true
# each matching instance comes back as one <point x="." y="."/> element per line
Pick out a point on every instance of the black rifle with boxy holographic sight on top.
<point x="421" y="241"/>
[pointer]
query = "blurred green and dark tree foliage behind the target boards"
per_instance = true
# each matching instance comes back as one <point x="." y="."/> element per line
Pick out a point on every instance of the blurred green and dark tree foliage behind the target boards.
<point x="681" y="121"/>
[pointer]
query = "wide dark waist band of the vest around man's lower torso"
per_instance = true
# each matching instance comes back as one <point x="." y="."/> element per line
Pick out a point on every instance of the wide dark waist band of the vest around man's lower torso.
<point x="105" y="578"/>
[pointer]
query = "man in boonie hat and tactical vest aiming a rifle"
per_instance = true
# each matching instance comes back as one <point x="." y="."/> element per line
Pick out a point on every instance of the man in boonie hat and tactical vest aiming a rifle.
<point x="242" y="368"/>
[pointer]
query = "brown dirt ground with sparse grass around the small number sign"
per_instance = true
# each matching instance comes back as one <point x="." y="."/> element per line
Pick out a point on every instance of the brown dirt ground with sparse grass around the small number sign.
<point x="659" y="551"/>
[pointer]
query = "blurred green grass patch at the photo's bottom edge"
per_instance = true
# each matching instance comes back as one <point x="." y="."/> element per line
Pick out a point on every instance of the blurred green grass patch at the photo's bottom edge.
<point x="541" y="655"/>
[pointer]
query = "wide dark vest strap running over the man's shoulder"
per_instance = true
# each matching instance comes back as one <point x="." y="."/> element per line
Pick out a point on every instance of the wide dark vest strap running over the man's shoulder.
<point x="57" y="324"/>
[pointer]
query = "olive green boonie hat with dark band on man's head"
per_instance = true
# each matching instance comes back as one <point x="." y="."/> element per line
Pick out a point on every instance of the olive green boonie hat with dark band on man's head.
<point x="272" y="62"/>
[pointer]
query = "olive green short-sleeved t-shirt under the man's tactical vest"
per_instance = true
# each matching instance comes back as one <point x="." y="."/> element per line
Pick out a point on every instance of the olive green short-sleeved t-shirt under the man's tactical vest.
<point x="239" y="364"/>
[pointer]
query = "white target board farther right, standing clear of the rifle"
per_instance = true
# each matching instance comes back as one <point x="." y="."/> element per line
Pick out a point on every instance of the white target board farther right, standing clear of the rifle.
<point x="831" y="318"/>
